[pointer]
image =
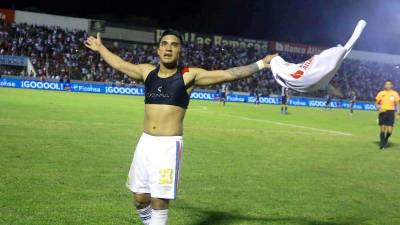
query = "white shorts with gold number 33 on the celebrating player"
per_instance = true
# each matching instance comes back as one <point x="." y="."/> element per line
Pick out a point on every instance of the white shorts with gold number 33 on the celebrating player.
<point x="155" y="166"/>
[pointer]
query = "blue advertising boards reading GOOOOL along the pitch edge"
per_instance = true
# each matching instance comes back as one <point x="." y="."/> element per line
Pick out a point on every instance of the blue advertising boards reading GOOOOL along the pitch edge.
<point x="196" y="94"/>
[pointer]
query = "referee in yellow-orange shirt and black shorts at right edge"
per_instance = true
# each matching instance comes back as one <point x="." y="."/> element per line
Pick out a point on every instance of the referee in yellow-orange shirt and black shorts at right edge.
<point x="386" y="102"/>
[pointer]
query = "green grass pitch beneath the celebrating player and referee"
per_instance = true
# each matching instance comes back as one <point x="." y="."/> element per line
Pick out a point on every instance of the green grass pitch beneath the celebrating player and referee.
<point x="65" y="158"/>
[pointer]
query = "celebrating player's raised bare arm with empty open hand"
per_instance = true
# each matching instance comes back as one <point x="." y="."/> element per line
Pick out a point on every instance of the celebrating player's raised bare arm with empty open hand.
<point x="137" y="72"/>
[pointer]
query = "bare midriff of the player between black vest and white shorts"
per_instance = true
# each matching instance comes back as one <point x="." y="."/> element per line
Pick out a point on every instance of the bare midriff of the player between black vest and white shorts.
<point x="163" y="120"/>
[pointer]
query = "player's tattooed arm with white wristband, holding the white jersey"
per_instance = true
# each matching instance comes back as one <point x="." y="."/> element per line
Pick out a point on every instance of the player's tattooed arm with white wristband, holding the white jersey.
<point x="204" y="77"/>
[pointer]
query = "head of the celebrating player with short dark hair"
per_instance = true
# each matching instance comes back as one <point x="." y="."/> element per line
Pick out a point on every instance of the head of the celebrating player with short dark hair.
<point x="169" y="50"/>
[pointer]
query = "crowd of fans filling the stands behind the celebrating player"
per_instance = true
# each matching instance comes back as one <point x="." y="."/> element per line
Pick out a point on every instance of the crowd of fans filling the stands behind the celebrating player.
<point x="56" y="53"/>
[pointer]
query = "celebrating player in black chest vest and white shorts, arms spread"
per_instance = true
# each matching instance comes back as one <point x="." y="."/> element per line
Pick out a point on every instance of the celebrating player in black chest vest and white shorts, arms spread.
<point x="154" y="173"/>
